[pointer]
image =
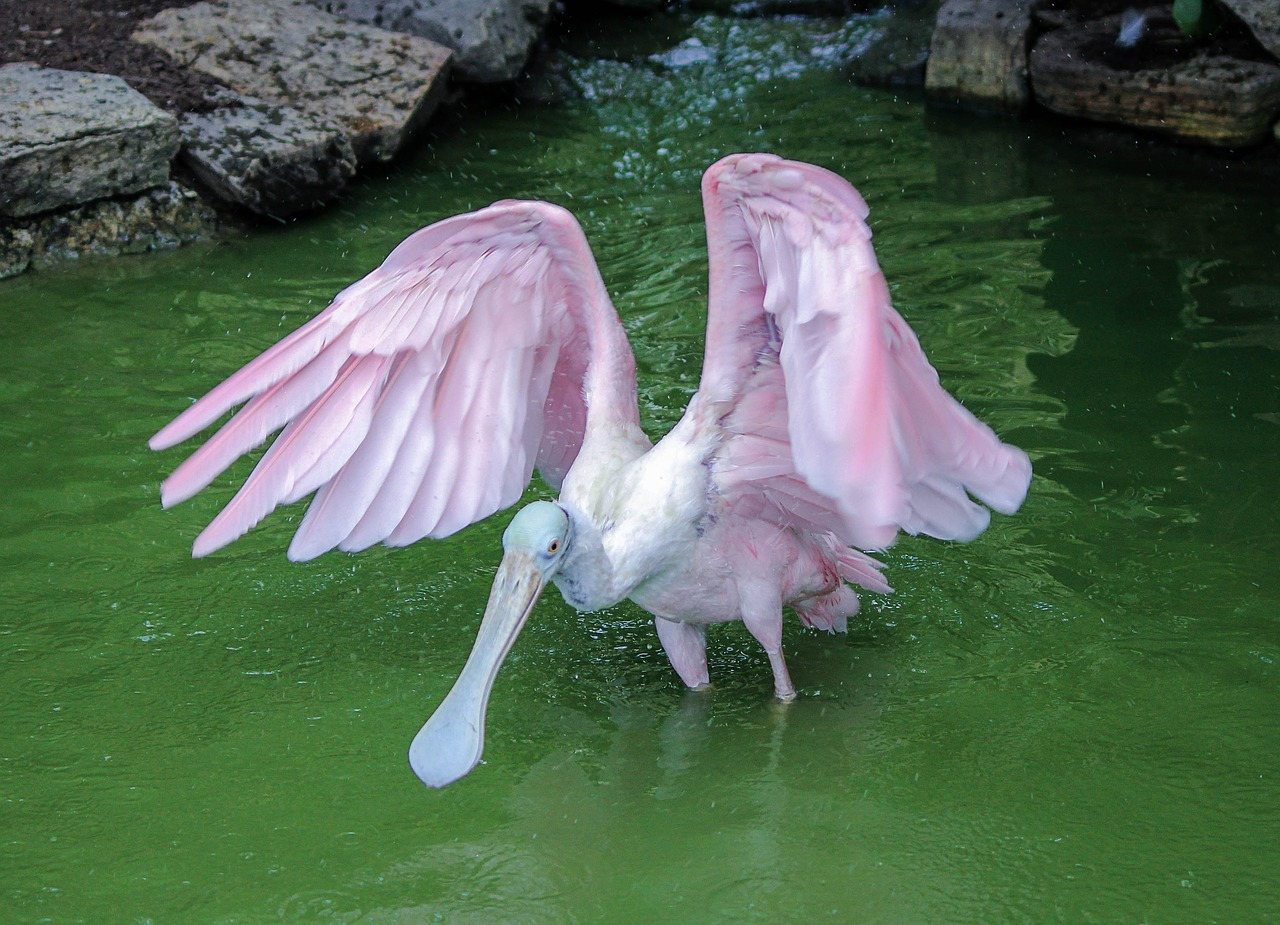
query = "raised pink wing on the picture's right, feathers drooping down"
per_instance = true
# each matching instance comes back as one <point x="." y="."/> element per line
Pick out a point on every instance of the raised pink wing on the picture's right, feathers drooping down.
<point x="838" y="422"/>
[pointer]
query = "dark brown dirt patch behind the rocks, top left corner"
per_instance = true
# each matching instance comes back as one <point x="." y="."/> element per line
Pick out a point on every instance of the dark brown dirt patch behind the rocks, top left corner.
<point x="94" y="35"/>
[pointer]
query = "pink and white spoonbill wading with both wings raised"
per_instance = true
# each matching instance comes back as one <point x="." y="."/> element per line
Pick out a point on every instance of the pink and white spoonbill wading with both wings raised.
<point x="486" y="347"/>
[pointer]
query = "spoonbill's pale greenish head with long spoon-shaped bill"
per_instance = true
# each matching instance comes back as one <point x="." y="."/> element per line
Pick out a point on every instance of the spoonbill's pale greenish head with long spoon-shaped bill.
<point x="533" y="551"/>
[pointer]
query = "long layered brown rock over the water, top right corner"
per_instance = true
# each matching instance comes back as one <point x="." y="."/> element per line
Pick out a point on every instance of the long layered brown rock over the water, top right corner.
<point x="1205" y="98"/>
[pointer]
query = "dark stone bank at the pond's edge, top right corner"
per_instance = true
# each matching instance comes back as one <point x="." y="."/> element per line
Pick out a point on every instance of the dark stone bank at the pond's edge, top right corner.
<point x="1119" y="62"/>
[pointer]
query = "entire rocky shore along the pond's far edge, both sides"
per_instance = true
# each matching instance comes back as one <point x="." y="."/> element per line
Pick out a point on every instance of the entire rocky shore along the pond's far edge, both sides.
<point x="134" y="125"/>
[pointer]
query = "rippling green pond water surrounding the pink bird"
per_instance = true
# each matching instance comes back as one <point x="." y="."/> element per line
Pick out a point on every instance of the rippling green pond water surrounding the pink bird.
<point x="1075" y="720"/>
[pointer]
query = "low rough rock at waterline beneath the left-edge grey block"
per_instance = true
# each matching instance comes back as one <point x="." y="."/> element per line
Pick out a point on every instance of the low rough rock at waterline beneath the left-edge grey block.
<point x="159" y="219"/>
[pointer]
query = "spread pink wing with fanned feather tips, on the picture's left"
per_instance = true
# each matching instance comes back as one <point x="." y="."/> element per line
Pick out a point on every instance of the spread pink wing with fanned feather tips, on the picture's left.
<point x="422" y="400"/>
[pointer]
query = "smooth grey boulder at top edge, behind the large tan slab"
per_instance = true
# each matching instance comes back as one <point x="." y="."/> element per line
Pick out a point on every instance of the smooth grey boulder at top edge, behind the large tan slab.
<point x="491" y="39"/>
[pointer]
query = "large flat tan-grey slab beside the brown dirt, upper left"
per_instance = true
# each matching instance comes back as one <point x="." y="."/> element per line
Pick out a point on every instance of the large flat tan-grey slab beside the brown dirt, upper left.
<point x="381" y="86"/>
